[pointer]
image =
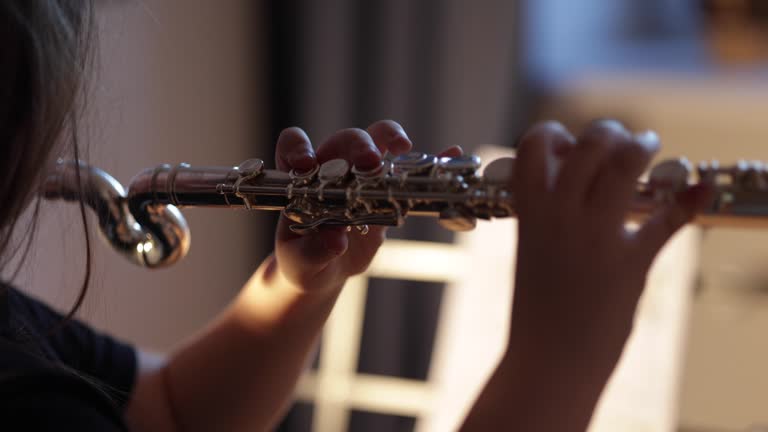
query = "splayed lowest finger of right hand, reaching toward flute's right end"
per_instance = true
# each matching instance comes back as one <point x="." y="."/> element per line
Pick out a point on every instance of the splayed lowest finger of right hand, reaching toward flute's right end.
<point x="665" y="222"/>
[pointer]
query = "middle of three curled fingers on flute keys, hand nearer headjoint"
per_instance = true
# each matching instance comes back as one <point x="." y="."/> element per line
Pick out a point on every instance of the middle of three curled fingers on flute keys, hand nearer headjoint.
<point x="354" y="145"/>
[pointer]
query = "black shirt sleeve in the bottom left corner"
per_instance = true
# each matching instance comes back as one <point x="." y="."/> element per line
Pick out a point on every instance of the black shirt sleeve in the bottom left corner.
<point x="59" y="378"/>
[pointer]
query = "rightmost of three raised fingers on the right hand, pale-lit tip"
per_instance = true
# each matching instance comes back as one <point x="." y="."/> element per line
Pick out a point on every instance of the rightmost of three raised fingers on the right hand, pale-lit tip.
<point x="616" y="180"/>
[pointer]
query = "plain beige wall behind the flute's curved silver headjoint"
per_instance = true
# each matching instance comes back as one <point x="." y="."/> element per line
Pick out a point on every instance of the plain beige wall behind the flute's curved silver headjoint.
<point x="176" y="82"/>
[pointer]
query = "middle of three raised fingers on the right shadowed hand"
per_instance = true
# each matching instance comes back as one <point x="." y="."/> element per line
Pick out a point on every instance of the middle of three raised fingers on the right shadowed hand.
<point x="581" y="167"/>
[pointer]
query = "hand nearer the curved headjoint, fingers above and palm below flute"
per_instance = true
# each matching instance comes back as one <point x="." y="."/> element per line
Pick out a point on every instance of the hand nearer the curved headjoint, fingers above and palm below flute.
<point x="326" y="258"/>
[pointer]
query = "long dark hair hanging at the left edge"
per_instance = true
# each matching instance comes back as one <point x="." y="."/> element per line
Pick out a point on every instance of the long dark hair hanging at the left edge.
<point x="44" y="54"/>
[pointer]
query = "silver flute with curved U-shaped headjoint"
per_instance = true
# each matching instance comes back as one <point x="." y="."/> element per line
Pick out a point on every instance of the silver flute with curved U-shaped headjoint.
<point x="144" y="223"/>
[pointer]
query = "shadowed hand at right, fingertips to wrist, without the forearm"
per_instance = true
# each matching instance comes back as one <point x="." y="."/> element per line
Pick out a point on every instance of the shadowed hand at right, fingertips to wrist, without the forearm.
<point x="580" y="271"/>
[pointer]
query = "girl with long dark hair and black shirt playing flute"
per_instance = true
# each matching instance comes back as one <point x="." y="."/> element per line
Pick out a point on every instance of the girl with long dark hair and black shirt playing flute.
<point x="579" y="272"/>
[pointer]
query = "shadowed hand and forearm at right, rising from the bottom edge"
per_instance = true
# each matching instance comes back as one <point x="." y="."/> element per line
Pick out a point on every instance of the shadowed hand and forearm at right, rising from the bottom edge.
<point x="580" y="273"/>
